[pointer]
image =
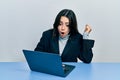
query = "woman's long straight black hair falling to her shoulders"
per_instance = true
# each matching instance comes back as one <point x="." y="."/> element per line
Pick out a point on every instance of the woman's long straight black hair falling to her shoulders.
<point x="72" y="21"/>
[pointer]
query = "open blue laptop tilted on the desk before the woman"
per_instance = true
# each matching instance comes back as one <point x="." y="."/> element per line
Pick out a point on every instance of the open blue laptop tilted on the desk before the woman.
<point x="49" y="63"/>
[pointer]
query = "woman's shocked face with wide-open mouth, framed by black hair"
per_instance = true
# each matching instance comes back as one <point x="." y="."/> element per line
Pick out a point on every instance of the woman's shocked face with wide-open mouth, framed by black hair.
<point x="63" y="27"/>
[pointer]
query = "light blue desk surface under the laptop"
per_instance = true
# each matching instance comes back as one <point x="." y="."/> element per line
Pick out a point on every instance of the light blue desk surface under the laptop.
<point x="93" y="71"/>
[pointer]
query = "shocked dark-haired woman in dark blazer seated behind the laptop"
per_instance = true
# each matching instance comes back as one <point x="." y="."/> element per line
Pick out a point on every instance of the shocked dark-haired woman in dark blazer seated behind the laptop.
<point x="65" y="40"/>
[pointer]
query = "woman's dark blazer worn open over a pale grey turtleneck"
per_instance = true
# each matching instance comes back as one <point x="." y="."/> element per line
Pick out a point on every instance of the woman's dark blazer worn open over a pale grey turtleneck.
<point x="76" y="47"/>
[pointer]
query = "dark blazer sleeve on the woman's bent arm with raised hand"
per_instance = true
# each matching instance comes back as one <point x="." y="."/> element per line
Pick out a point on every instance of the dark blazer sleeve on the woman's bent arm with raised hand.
<point x="86" y="52"/>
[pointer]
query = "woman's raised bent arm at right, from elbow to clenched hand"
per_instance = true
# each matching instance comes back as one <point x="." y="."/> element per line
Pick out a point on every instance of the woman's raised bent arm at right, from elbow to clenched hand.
<point x="87" y="45"/>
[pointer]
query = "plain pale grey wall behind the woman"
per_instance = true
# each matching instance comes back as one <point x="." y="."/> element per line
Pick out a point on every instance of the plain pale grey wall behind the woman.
<point x="23" y="21"/>
